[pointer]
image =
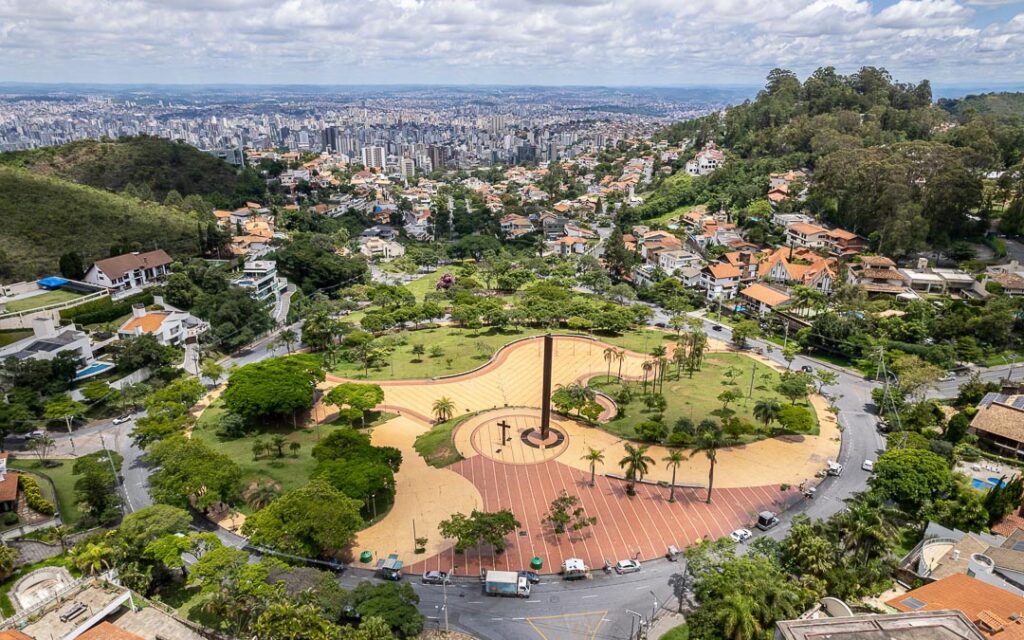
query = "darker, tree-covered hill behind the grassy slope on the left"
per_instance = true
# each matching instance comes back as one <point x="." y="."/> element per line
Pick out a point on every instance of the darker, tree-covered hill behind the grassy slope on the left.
<point x="154" y="163"/>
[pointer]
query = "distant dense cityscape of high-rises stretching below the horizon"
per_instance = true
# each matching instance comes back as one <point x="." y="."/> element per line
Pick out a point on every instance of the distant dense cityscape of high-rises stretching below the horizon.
<point x="434" y="127"/>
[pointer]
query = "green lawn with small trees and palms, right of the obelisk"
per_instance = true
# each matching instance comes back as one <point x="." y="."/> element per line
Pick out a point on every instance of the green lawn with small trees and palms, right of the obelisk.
<point x="697" y="398"/>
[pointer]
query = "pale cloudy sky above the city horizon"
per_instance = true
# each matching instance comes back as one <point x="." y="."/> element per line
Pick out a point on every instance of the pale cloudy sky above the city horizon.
<point x="551" y="42"/>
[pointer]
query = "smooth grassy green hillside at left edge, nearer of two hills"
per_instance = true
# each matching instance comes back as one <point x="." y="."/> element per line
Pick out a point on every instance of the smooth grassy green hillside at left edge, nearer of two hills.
<point x="42" y="218"/>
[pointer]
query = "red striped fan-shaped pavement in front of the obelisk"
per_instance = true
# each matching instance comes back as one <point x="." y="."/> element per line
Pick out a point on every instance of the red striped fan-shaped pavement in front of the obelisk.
<point x="643" y="527"/>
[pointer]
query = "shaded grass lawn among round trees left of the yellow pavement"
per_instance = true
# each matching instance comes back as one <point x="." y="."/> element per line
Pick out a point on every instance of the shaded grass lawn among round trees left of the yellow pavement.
<point x="289" y="472"/>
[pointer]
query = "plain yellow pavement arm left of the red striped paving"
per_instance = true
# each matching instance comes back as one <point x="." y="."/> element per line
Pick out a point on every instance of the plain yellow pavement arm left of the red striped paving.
<point x="423" y="495"/>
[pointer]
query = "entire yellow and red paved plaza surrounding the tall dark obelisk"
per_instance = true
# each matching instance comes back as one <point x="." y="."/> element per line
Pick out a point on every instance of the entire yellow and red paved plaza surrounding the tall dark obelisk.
<point x="749" y="479"/>
